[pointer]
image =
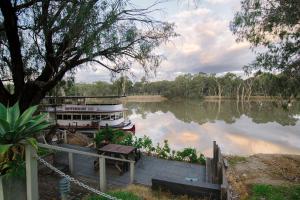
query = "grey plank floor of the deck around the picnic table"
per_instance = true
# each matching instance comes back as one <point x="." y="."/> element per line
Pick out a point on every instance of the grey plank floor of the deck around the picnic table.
<point x="145" y="169"/>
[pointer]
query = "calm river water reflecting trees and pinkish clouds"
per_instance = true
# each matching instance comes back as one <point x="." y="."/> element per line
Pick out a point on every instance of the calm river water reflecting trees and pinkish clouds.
<point x="239" y="128"/>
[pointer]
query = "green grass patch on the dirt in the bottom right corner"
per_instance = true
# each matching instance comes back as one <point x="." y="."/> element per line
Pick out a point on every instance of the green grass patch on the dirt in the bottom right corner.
<point x="269" y="192"/>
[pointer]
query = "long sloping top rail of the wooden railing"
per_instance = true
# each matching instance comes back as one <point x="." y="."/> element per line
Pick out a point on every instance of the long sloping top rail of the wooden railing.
<point x="81" y="152"/>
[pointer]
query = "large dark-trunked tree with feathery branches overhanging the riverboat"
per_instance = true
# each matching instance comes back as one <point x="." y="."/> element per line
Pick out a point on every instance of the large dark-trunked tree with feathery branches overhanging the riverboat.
<point x="42" y="40"/>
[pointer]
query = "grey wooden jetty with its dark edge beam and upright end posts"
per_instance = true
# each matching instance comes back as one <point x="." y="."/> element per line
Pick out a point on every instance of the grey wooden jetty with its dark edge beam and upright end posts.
<point x="177" y="177"/>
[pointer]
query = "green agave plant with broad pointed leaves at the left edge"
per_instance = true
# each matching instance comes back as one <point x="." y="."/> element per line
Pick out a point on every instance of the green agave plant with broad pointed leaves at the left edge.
<point x="17" y="129"/>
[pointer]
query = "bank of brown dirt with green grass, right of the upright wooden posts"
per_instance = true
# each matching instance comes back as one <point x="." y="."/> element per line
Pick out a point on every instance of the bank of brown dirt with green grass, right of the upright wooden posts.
<point x="260" y="175"/>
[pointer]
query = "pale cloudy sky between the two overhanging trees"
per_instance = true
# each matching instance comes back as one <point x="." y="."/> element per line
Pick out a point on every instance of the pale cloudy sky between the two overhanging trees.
<point x="205" y="42"/>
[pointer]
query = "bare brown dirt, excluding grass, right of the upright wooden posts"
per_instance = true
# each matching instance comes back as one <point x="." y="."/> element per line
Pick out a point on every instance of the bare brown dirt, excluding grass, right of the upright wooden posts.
<point x="270" y="169"/>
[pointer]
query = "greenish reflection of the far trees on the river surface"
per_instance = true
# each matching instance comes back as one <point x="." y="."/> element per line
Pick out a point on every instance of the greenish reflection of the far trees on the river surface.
<point x="227" y="111"/>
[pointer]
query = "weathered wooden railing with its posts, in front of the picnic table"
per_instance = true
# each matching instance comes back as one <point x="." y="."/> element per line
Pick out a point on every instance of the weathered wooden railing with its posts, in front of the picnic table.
<point x="32" y="173"/>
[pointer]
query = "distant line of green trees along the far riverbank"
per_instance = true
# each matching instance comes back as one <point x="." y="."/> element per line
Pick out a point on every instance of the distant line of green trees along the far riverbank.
<point x="190" y="86"/>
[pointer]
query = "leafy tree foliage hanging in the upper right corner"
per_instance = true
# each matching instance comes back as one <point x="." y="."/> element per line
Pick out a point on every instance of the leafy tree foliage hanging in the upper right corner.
<point x="274" y="26"/>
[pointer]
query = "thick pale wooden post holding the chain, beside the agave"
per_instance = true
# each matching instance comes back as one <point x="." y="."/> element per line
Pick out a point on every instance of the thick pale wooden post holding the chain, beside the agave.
<point x="31" y="173"/>
